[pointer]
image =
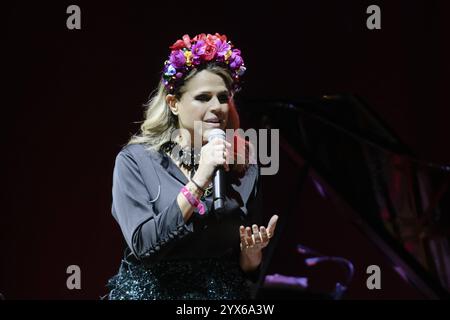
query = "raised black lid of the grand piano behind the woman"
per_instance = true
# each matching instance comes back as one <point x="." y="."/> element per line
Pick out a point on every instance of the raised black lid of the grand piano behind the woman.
<point x="402" y="204"/>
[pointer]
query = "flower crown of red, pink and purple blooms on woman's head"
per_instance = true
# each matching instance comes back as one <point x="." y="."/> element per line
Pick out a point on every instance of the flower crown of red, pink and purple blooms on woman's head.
<point x="188" y="54"/>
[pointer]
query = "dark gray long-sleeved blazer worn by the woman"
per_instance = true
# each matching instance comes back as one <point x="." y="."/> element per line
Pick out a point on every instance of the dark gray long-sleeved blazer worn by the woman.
<point x="145" y="187"/>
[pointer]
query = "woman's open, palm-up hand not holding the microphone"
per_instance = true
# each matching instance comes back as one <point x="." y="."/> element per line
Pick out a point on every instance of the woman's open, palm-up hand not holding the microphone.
<point x="256" y="238"/>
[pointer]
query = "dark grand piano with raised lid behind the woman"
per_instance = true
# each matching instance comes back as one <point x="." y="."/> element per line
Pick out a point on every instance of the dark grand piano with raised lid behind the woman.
<point x="351" y="197"/>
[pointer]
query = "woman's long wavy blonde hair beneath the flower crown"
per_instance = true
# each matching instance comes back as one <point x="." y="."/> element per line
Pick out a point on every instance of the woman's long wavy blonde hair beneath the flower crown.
<point x="160" y="122"/>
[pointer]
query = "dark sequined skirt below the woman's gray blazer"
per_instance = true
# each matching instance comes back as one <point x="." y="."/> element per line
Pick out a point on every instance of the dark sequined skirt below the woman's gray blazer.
<point x="207" y="279"/>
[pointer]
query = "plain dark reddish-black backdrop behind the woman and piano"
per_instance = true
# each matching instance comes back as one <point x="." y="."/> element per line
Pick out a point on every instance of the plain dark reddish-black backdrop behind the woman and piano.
<point x="72" y="98"/>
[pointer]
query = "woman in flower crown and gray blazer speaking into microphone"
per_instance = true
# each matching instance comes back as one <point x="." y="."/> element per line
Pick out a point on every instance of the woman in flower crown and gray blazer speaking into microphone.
<point x="177" y="245"/>
